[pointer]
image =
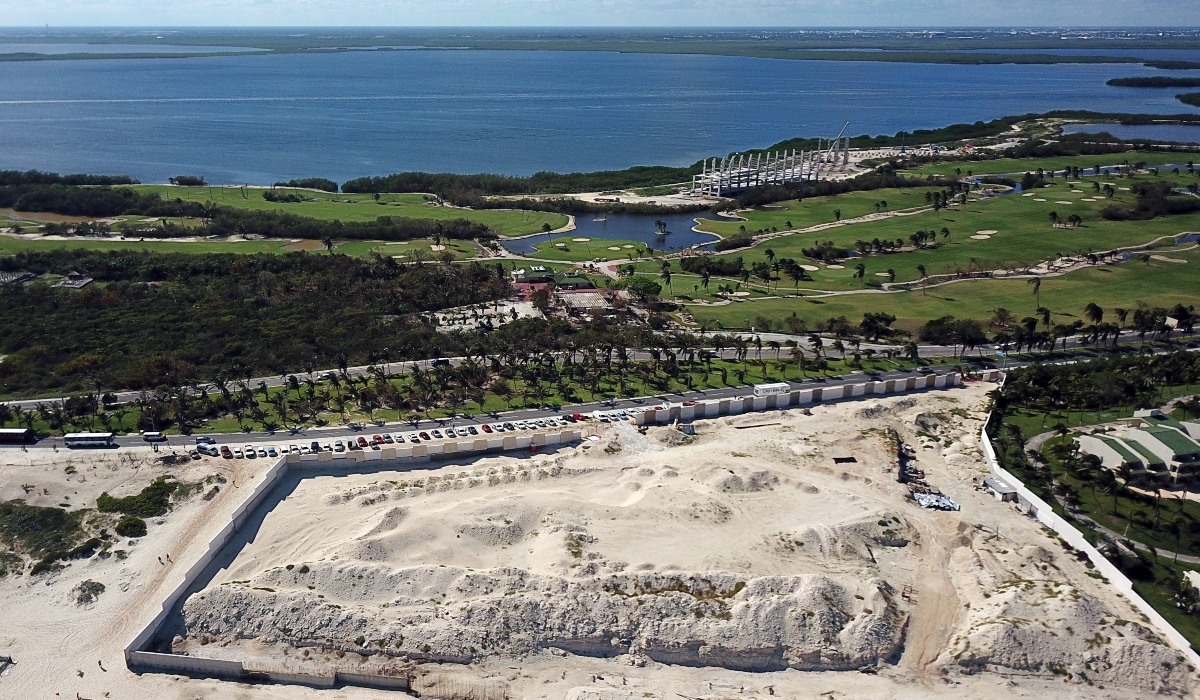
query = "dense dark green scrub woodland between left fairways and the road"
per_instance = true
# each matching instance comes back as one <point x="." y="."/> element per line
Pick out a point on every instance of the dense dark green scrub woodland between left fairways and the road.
<point x="154" y="319"/>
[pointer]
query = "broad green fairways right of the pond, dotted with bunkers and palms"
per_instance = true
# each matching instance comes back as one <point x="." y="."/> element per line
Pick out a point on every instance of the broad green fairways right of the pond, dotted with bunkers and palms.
<point x="1022" y="234"/>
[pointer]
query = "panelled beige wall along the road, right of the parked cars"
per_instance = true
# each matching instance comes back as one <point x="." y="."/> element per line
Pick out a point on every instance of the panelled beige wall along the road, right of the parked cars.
<point x="716" y="408"/>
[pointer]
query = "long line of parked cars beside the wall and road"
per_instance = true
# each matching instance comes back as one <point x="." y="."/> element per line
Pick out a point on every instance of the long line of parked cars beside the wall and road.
<point x="208" y="446"/>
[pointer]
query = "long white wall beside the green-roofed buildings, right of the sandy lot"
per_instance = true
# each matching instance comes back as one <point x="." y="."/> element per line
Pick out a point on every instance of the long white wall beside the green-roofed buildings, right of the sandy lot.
<point x="1045" y="514"/>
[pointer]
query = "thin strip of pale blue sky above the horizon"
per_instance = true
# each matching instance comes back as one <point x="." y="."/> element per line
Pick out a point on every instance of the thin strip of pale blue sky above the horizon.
<point x="601" y="13"/>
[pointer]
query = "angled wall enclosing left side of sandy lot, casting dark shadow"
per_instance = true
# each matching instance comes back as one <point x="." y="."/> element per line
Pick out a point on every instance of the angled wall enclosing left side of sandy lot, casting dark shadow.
<point x="136" y="659"/>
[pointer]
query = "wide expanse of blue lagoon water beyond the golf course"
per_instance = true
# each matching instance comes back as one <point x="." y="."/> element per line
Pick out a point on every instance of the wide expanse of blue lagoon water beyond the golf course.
<point x="260" y="119"/>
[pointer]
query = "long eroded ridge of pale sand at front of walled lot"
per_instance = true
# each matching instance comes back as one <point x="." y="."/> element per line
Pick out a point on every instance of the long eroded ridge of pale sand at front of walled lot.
<point x="712" y="619"/>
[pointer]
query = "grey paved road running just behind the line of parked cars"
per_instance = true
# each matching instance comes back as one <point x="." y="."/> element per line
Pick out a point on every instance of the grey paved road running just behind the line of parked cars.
<point x="334" y="433"/>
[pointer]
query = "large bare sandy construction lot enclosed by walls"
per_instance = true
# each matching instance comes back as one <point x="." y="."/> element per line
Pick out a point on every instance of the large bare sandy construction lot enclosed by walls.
<point x="745" y="559"/>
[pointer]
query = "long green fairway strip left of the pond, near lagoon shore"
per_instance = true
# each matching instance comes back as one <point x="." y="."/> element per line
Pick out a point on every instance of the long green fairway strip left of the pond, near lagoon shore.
<point x="332" y="206"/>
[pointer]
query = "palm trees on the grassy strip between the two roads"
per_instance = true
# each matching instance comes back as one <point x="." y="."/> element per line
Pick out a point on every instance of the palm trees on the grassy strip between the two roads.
<point x="494" y="369"/>
